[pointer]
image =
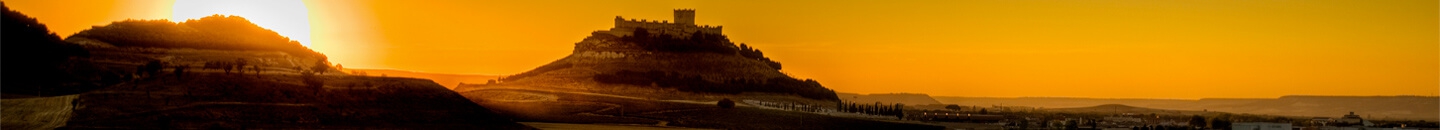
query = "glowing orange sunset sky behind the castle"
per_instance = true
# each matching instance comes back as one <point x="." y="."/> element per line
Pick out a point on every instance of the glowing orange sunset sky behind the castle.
<point x="968" y="48"/>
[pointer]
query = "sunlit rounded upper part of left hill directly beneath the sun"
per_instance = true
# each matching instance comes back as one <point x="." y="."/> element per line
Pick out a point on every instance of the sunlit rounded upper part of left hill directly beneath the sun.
<point x="211" y="32"/>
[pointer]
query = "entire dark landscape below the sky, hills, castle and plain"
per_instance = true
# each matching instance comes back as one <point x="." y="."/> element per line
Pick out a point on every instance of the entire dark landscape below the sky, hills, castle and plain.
<point x="227" y="71"/>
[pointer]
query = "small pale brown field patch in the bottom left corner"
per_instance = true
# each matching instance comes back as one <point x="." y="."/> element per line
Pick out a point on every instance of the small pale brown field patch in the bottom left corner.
<point x="42" y="113"/>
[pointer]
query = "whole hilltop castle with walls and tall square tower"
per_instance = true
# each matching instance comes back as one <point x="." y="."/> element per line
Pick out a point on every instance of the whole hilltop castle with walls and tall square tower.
<point x="683" y="27"/>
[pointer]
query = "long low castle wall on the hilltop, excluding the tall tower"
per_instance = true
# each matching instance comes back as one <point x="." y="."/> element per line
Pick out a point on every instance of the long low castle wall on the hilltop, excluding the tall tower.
<point x="626" y="28"/>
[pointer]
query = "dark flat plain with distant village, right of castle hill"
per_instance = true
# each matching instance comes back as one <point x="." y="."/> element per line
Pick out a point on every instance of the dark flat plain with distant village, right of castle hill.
<point x="1003" y="118"/>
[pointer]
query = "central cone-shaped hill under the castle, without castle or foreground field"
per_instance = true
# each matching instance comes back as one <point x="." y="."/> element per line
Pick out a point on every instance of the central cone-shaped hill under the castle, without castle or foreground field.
<point x="649" y="66"/>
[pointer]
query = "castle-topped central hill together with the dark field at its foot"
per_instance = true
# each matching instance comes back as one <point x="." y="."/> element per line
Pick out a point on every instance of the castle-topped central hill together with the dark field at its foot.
<point x="679" y="77"/>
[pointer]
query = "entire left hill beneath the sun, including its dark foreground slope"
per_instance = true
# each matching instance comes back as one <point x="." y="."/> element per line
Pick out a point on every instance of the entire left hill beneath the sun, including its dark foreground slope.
<point x="186" y="83"/>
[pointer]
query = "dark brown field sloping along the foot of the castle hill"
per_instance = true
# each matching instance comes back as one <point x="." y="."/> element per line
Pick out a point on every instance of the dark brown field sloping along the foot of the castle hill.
<point x="598" y="109"/>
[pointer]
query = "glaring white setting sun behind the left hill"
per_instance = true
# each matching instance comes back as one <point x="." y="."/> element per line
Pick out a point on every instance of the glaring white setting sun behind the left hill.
<point x="287" y="18"/>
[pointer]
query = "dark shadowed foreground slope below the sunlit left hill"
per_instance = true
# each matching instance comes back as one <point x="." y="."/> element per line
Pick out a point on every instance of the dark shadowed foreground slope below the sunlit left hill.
<point x="212" y="100"/>
